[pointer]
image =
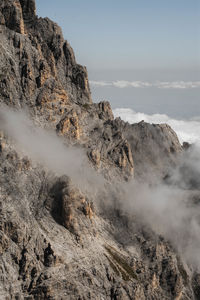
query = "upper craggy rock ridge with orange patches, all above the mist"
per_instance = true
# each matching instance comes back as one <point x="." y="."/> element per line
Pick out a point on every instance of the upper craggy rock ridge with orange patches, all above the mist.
<point x="39" y="70"/>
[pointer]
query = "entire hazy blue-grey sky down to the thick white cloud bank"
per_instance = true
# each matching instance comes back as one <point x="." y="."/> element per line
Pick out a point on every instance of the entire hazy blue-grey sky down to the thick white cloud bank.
<point x="135" y="40"/>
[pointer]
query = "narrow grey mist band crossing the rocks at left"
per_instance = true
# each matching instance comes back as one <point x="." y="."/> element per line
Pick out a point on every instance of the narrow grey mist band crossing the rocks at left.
<point x="45" y="147"/>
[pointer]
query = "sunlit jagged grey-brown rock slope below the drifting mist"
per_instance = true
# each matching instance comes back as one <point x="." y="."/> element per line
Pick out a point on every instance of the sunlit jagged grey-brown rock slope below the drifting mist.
<point x="55" y="246"/>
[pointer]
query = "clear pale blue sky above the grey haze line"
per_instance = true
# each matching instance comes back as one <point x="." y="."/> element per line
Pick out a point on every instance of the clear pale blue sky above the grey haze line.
<point x="129" y="33"/>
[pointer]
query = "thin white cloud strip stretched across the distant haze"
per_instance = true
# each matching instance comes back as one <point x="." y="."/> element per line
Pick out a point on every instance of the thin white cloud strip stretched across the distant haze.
<point x="145" y="84"/>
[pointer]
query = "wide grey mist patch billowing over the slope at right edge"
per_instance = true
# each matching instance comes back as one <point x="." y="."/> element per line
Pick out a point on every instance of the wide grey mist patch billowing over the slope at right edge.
<point x="171" y="206"/>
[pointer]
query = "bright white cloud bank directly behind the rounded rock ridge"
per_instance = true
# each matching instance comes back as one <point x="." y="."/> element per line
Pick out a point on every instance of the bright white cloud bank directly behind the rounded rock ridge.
<point x="187" y="130"/>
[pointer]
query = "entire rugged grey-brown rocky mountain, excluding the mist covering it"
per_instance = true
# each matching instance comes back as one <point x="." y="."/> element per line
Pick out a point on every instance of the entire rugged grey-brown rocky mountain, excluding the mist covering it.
<point x="58" y="241"/>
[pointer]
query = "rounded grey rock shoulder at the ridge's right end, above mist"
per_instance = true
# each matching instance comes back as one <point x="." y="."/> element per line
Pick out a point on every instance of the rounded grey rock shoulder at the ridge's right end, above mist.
<point x="154" y="146"/>
